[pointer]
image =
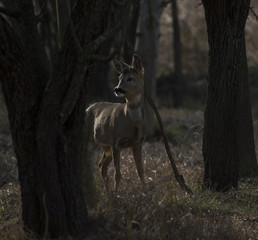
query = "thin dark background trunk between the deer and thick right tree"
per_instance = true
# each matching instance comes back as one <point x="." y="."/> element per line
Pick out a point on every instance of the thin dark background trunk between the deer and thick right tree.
<point x="177" y="81"/>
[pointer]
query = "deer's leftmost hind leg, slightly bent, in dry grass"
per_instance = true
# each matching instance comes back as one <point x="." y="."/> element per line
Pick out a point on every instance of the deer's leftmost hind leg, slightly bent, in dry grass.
<point x="103" y="165"/>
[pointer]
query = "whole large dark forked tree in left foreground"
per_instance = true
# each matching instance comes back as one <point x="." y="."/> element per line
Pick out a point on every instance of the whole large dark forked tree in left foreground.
<point x="46" y="111"/>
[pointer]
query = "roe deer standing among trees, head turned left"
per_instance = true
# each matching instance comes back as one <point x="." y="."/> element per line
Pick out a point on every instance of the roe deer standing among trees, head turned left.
<point x="115" y="126"/>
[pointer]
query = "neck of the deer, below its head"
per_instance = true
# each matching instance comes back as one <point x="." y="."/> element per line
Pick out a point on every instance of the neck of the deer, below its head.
<point x="134" y="108"/>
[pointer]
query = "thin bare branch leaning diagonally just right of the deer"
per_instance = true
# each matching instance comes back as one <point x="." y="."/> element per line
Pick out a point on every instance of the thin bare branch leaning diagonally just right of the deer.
<point x="178" y="177"/>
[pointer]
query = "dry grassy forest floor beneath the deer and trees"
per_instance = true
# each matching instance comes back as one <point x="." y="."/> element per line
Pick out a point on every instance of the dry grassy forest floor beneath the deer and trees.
<point x="165" y="211"/>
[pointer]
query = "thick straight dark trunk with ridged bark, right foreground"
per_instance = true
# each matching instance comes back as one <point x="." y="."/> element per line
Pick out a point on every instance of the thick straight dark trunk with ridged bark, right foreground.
<point x="227" y="72"/>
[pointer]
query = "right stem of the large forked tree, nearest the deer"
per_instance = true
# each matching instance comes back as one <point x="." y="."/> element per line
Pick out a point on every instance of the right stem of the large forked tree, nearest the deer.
<point x="61" y="119"/>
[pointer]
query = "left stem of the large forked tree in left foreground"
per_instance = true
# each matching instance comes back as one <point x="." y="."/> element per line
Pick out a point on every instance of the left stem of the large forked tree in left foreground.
<point x="24" y="75"/>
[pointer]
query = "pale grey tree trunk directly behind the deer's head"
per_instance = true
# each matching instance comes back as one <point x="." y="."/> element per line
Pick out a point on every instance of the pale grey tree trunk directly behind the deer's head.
<point x="146" y="47"/>
